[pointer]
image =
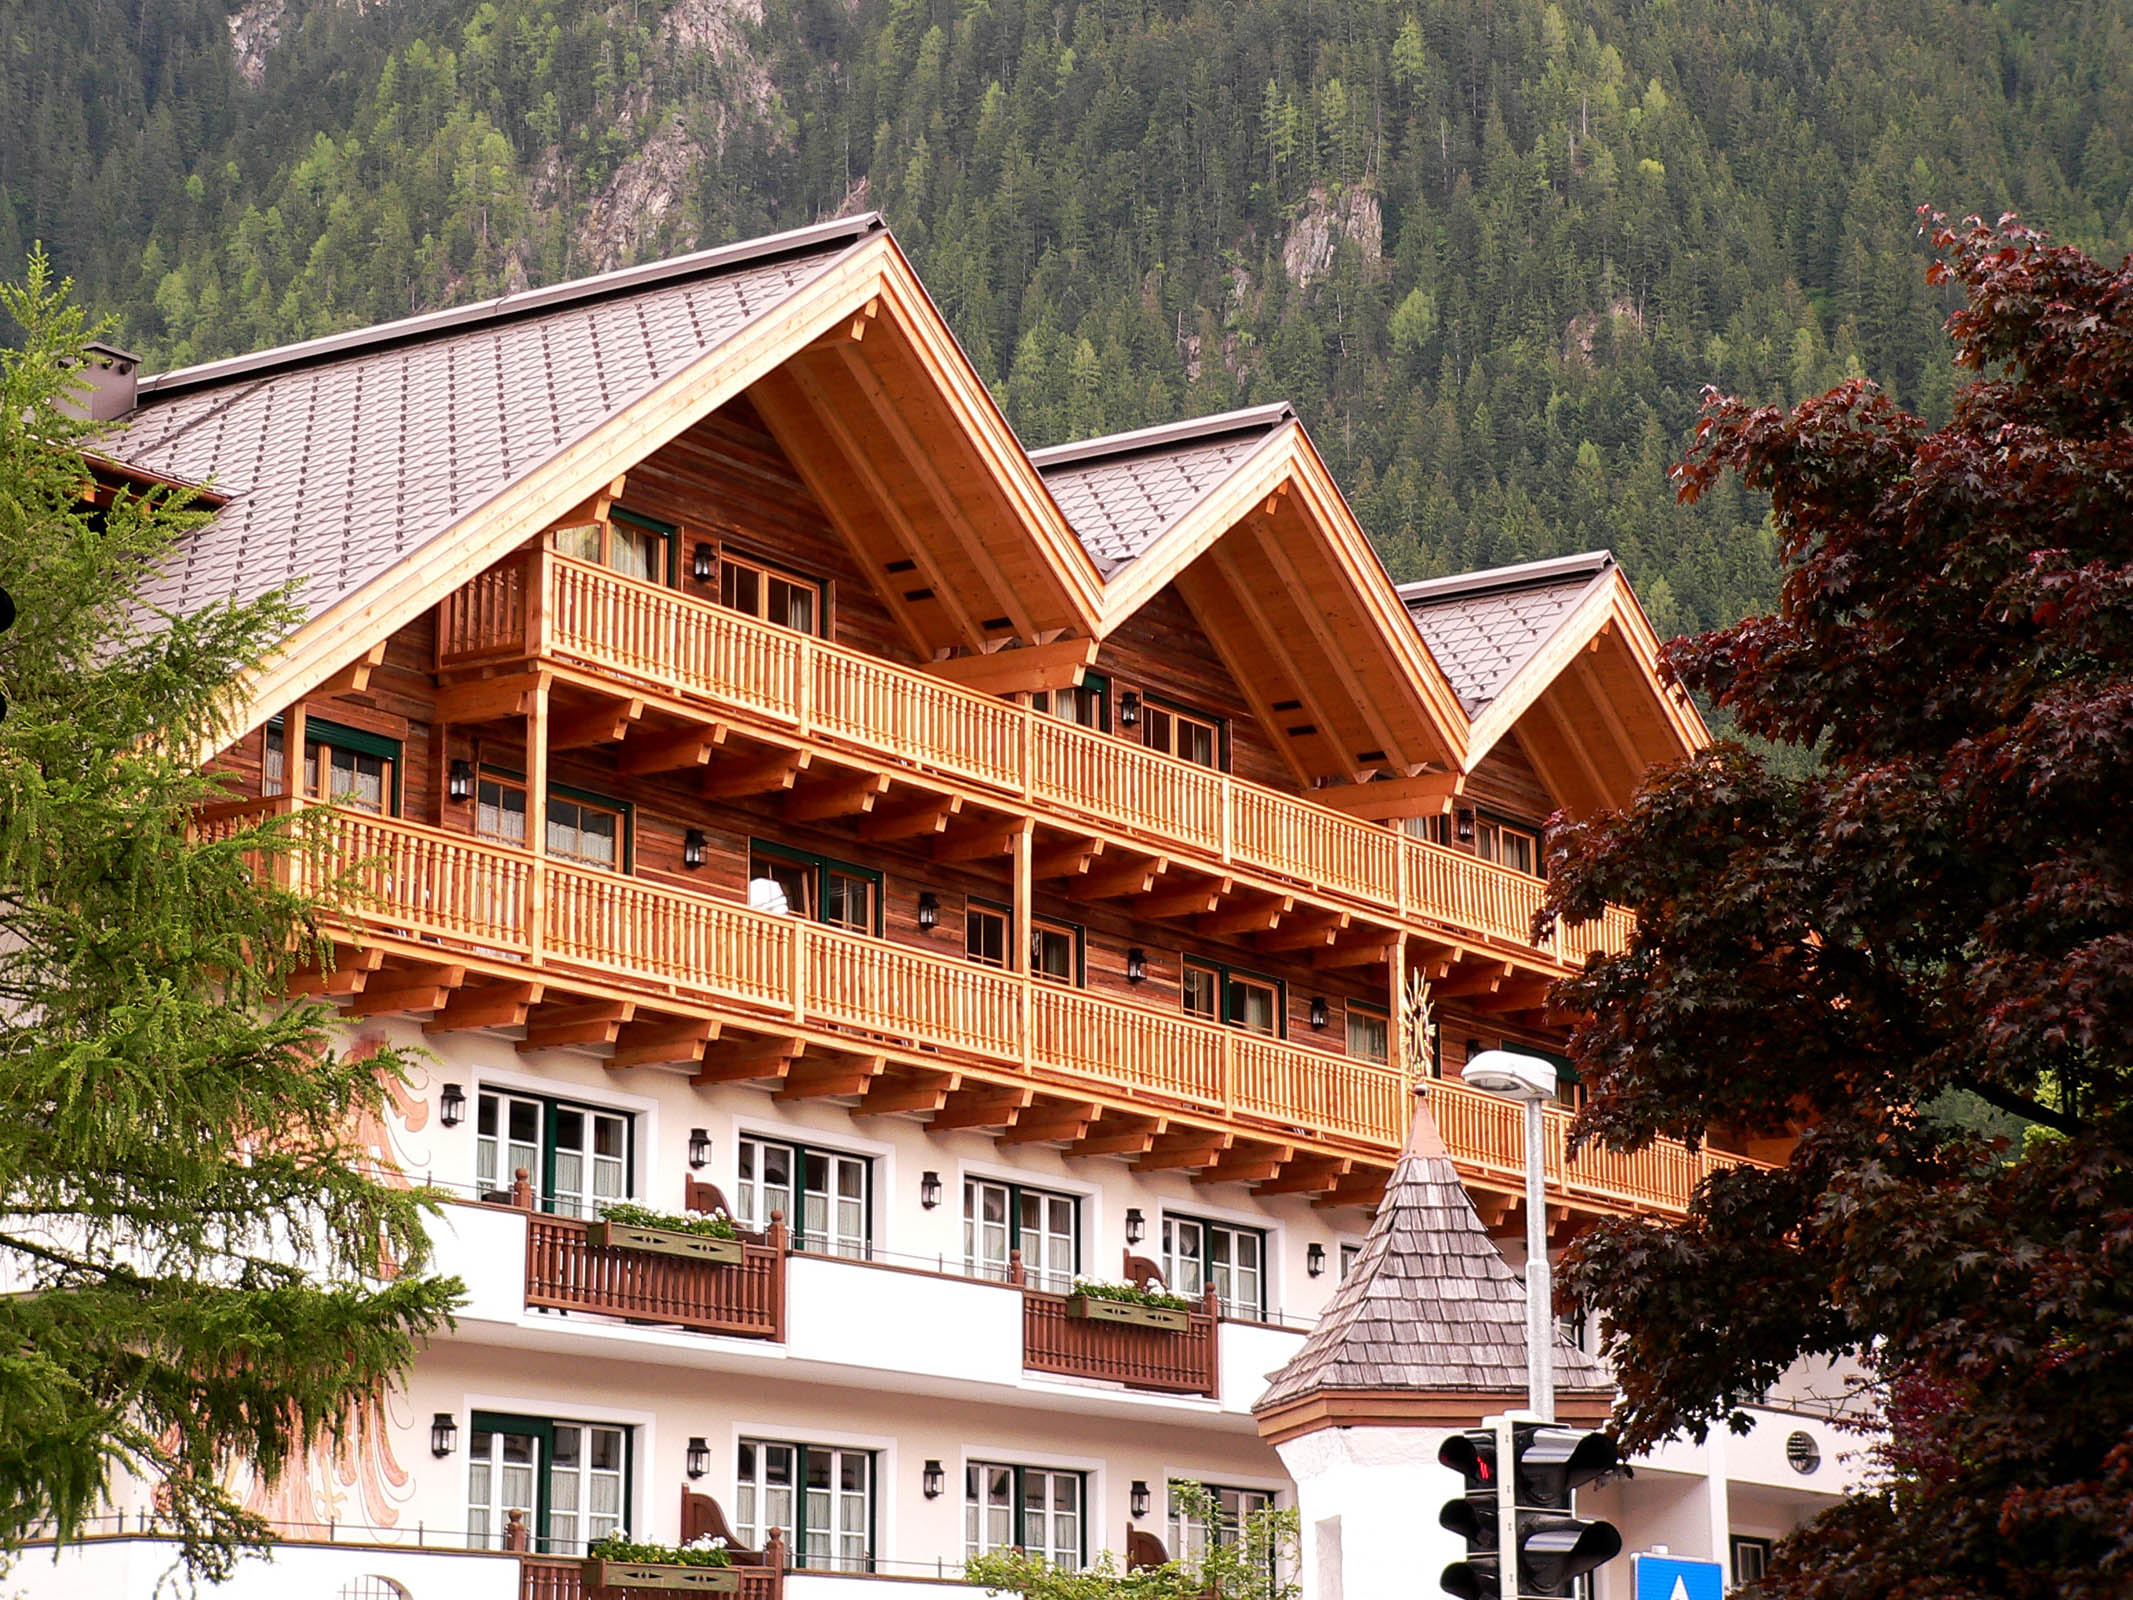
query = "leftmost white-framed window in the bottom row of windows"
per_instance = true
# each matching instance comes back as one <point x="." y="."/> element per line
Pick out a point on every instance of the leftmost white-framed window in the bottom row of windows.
<point x="568" y="1479"/>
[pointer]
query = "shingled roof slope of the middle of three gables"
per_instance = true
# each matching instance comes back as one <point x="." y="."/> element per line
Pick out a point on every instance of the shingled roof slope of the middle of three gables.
<point x="1123" y="492"/>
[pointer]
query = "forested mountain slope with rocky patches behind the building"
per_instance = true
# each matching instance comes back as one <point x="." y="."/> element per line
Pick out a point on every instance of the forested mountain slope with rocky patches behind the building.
<point x="1492" y="249"/>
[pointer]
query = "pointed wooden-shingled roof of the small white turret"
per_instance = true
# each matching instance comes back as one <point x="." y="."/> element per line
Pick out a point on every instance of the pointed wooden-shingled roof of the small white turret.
<point x="1428" y="1311"/>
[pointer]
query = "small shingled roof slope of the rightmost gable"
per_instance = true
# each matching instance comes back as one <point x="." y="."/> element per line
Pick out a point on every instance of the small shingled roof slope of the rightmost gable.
<point x="1486" y="626"/>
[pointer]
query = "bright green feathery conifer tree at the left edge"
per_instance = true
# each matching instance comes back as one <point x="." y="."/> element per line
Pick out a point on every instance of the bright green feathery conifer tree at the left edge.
<point x="204" y="1275"/>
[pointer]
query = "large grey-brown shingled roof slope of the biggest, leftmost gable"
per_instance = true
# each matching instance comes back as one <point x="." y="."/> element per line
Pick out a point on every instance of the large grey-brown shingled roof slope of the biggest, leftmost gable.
<point x="340" y="458"/>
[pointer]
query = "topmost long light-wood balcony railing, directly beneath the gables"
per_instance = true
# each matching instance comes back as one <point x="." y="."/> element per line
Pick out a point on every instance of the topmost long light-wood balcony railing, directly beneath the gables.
<point x="549" y="607"/>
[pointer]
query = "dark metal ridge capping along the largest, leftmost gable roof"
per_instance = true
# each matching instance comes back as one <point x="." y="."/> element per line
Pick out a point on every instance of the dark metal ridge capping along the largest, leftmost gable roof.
<point x="509" y="308"/>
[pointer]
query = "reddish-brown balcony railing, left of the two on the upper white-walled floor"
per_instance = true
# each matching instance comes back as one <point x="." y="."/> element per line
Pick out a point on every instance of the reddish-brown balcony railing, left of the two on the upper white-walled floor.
<point x="568" y="1273"/>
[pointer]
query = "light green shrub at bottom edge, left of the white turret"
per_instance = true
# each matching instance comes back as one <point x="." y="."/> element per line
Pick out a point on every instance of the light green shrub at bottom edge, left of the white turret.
<point x="1247" y="1567"/>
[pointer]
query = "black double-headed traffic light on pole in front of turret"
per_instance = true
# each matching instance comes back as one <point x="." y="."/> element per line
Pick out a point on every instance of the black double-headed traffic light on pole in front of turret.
<point x="1526" y="1509"/>
